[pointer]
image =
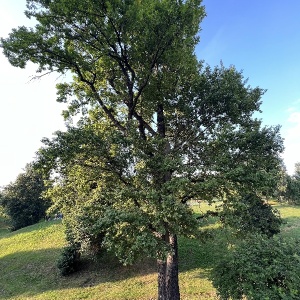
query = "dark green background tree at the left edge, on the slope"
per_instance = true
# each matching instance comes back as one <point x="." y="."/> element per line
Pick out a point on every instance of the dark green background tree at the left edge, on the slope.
<point x="22" y="200"/>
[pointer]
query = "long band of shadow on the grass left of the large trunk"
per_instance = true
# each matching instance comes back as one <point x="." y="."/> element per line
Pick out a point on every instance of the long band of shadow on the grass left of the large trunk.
<point x="30" y="273"/>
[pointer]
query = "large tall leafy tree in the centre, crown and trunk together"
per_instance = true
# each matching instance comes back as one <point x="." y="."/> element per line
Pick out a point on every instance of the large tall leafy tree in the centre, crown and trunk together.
<point x="157" y="128"/>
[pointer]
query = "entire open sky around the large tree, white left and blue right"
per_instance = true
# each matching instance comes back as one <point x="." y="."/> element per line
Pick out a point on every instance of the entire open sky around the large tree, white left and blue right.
<point x="260" y="37"/>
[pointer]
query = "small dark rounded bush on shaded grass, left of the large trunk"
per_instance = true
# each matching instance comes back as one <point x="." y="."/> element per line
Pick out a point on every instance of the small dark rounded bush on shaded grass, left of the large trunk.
<point x="69" y="260"/>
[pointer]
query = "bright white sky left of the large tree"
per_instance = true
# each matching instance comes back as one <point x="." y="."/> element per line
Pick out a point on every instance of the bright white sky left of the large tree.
<point x="28" y="110"/>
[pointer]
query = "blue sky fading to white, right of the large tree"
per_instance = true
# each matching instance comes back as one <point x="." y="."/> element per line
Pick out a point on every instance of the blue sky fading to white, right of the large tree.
<point x="262" y="38"/>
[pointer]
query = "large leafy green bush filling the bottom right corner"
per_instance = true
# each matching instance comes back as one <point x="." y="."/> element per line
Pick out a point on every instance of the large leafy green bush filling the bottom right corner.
<point x="259" y="268"/>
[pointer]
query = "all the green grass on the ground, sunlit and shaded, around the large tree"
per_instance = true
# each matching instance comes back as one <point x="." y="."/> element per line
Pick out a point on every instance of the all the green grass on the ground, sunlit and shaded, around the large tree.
<point x="28" y="266"/>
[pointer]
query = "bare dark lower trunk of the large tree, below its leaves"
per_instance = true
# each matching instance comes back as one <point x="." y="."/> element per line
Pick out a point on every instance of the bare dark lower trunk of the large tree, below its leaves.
<point x="168" y="286"/>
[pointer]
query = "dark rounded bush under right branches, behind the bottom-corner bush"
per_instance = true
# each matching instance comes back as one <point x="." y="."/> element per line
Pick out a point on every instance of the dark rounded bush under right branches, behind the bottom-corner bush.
<point x="250" y="214"/>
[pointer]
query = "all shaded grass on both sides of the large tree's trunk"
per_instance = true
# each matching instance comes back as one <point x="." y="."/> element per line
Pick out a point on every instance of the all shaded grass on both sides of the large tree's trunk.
<point x="31" y="273"/>
